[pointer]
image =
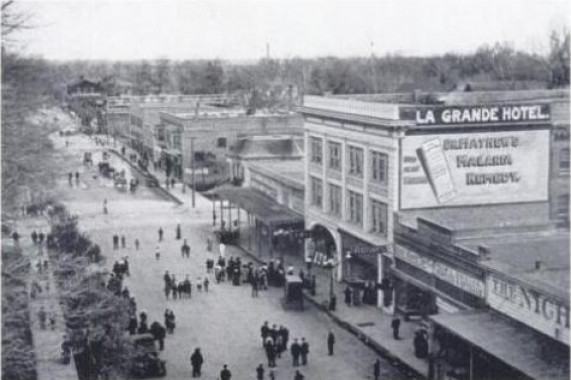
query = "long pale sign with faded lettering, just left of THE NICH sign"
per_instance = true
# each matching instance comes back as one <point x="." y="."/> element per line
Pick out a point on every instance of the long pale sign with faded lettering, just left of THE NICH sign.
<point x="442" y="271"/>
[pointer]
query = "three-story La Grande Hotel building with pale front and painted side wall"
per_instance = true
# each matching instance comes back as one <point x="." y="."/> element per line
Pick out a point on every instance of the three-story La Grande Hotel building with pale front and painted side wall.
<point x="366" y="160"/>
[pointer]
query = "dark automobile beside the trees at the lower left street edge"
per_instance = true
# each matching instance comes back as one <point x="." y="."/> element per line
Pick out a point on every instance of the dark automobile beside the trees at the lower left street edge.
<point x="146" y="360"/>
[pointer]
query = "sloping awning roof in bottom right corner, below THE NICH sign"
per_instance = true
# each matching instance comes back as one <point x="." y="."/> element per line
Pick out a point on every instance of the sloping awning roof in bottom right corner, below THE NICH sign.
<point x="518" y="346"/>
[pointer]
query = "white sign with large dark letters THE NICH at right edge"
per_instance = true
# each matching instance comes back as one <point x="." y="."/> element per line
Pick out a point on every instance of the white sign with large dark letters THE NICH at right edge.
<point x="539" y="311"/>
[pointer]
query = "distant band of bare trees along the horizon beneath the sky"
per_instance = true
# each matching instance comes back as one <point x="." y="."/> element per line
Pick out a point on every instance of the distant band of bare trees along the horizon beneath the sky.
<point x="359" y="75"/>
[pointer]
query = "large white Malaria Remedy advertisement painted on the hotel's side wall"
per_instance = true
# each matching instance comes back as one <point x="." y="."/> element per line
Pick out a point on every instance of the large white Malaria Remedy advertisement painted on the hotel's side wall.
<point x="474" y="168"/>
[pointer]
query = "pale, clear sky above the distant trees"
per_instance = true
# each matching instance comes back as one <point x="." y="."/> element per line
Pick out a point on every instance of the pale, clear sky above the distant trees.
<point x="242" y="30"/>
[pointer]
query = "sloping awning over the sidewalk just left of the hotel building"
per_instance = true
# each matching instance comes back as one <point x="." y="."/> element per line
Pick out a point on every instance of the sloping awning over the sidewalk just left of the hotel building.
<point x="267" y="210"/>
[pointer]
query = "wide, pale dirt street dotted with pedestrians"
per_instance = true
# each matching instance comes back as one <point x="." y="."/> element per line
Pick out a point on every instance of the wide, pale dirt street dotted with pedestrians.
<point x="225" y="322"/>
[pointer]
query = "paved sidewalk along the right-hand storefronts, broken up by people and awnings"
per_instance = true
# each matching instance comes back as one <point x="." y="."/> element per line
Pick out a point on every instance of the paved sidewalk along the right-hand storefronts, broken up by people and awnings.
<point x="367" y="322"/>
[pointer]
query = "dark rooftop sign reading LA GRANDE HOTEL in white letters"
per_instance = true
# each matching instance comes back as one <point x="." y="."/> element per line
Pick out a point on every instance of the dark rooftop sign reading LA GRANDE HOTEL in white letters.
<point x="475" y="115"/>
